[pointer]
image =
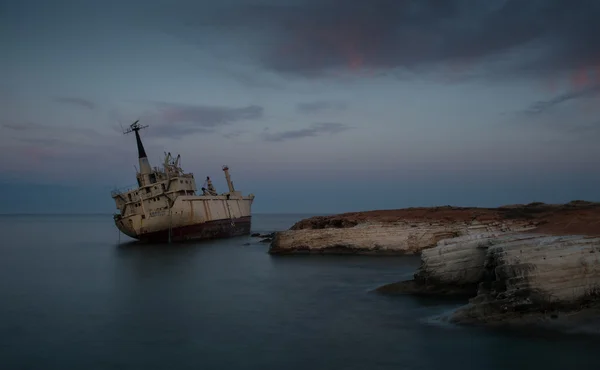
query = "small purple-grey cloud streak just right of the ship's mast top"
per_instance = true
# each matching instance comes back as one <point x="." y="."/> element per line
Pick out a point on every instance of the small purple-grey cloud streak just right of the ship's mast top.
<point x="176" y="120"/>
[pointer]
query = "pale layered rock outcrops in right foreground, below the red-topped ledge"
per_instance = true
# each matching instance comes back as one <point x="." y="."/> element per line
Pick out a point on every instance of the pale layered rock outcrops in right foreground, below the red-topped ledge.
<point x="510" y="276"/>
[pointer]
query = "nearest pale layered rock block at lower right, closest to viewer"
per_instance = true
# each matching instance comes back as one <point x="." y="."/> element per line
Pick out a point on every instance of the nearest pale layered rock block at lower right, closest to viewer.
<point x="535" y="274"/>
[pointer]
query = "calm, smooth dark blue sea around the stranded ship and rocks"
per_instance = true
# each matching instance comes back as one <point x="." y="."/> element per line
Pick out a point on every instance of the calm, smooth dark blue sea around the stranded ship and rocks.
<point x="72" y="297"/>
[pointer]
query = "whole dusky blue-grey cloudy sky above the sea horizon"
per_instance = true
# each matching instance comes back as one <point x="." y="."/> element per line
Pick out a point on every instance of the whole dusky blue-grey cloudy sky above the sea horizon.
<point x="316" y="105"/>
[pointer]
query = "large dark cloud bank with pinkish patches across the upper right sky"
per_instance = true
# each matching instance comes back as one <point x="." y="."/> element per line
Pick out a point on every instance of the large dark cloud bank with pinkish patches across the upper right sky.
<point x="310" y="37"/>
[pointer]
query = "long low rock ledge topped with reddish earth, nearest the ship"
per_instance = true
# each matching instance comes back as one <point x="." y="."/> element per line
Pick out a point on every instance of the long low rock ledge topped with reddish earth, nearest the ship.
<point x="413" y="229"/>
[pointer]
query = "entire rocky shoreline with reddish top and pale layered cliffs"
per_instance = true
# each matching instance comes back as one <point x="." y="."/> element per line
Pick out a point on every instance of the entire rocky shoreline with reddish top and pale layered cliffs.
<point x="514" y="264"/>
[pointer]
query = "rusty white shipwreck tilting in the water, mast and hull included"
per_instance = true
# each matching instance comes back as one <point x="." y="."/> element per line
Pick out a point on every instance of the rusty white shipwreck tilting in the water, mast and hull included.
<point x="165" y="206"/>
